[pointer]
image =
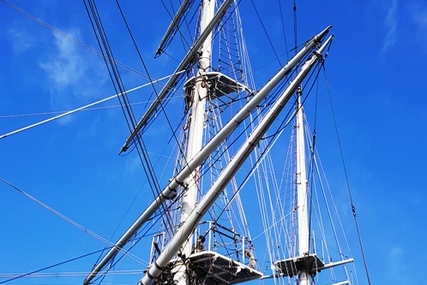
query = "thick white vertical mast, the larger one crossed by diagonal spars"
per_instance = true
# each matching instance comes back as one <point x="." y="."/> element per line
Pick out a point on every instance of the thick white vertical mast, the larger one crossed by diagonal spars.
<point x="198" y="99"/>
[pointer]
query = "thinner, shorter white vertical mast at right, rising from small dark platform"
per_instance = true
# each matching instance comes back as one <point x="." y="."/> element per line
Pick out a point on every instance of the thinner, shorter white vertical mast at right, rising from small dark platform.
<point x="301" y="179"/>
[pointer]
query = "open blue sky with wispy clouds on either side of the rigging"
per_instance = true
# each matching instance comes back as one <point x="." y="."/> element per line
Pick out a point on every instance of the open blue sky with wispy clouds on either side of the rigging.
<point x="377" y="75"/>
